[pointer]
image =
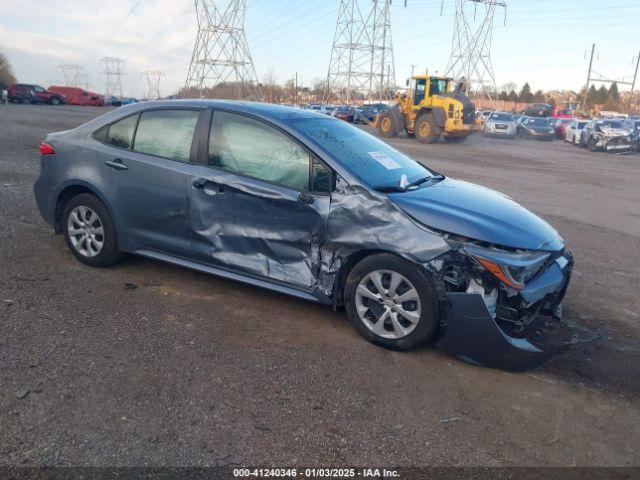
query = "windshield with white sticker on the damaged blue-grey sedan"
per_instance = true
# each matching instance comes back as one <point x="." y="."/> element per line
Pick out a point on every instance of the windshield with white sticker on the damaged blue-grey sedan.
<point x="373" y="161"/>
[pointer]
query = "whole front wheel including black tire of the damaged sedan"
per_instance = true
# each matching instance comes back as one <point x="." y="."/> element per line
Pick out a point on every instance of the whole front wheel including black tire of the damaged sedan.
<point x="424" y="312"/>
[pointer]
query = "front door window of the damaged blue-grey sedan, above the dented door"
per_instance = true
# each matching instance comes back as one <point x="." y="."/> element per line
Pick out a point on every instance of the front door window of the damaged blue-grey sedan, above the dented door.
<point x="250" y="147"/>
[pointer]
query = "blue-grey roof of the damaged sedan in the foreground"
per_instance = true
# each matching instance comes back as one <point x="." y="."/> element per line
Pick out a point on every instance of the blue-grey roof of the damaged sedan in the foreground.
<point x="267" y="110"/>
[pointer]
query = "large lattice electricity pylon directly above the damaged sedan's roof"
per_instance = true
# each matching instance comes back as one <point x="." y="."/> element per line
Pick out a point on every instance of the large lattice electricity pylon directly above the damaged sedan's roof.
<point x="221" y="52"/>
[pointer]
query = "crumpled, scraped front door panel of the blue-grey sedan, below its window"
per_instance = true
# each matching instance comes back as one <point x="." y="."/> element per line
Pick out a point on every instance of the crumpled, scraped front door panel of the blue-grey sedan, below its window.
<point x="256" y="228"/>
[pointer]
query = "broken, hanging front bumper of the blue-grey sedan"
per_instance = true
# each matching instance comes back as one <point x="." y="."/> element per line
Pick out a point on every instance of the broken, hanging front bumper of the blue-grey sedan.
<point x="510" y="338"/>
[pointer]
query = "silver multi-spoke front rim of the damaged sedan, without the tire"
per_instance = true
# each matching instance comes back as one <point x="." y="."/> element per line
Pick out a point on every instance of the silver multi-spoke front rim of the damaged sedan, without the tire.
<point x="388" y="304"/>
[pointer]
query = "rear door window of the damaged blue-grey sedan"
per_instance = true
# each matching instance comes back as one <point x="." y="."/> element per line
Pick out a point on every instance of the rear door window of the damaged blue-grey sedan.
<point x="166" y="133"/>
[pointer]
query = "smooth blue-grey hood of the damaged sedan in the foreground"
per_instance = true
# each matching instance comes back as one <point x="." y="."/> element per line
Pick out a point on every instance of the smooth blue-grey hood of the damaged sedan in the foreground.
<point x="477" y="212"/>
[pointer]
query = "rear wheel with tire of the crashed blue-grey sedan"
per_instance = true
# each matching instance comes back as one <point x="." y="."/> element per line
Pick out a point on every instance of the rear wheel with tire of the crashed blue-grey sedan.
<point x="98" y="223"/>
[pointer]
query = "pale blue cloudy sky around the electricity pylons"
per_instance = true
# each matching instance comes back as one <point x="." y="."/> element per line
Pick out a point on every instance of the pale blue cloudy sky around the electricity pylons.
<point x="543" y="42"/>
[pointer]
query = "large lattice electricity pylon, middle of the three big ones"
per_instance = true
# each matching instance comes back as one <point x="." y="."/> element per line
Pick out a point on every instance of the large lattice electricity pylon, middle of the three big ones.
<point x="361" y="64"/>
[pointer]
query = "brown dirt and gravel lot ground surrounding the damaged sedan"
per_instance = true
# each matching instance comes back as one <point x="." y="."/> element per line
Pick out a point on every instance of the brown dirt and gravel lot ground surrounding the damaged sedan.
<point x="187" y="369"/>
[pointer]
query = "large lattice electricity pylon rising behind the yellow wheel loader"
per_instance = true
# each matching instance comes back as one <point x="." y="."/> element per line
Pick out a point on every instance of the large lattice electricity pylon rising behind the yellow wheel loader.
<point x="471" y="46"/>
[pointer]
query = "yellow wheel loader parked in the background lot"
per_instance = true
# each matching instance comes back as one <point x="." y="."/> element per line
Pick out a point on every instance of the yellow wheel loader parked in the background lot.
<point x="431" y="108"/>
